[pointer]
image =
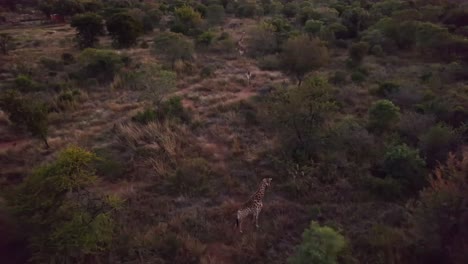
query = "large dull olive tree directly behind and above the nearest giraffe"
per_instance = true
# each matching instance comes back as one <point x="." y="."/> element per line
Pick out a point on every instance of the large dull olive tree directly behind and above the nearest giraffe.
<point x="298" y="115"/>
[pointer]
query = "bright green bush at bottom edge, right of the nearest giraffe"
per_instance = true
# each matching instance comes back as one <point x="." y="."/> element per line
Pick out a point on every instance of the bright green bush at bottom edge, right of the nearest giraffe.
<point x="320" y="245"/>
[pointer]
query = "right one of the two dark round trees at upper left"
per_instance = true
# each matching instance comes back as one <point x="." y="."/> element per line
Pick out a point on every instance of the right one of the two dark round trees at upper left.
<point x="124" y="29"/>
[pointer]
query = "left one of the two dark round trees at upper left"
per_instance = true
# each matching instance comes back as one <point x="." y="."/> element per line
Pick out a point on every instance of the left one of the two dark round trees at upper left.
<point x="88" y="26"/>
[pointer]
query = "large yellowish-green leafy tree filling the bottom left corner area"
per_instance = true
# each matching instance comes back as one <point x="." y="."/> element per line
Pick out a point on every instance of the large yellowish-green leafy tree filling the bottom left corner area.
<point x="65" y="222"/>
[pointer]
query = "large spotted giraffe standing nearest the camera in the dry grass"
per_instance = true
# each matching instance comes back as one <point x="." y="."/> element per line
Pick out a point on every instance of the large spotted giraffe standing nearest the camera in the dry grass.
<point x="254" y="205"/>
